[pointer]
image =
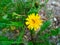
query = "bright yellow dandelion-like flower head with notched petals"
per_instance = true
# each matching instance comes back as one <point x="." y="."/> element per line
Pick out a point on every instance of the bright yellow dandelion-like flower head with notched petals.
<point x="34" y="21"/>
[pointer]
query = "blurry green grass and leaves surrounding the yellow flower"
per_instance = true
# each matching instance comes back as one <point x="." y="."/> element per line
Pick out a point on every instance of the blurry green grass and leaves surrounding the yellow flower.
<point x="13" y="13"/>
